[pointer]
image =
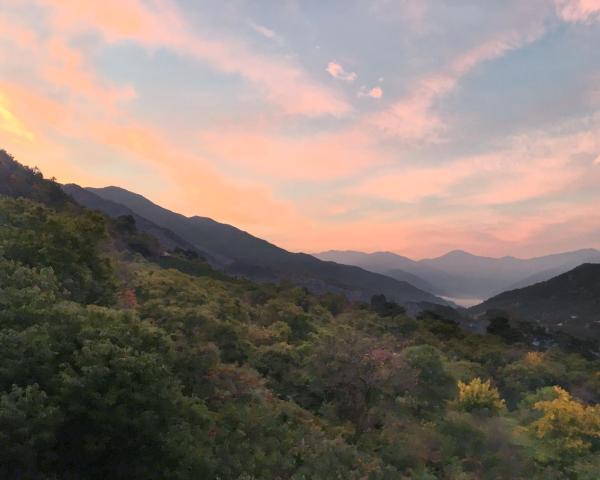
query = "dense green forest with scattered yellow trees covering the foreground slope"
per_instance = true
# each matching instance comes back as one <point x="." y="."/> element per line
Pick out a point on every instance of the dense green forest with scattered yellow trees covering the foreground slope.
<point x="121" y="360"/>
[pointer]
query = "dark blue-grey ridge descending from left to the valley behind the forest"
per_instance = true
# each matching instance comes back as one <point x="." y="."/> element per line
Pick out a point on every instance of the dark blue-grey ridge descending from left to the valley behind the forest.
<point x="239" y="253"/>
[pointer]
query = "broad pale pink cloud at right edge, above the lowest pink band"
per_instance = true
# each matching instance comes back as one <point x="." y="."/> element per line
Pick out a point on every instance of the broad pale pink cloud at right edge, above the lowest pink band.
<point x="531" y="166"/>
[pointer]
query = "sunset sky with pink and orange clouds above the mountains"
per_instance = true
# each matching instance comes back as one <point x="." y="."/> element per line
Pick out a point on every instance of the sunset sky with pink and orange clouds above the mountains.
<point x="413" y="126"/>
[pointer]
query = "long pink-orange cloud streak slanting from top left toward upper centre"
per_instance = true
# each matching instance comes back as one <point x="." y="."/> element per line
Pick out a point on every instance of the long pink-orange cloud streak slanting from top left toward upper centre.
<point x="160" y="25"/>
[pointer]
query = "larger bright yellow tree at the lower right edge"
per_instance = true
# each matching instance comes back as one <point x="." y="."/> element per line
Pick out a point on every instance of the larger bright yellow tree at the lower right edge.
<point x="567" y="428"/>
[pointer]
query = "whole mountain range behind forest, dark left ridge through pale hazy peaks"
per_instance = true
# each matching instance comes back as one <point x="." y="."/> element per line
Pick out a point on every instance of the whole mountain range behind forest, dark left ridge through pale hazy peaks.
<point x="458" y="276"/>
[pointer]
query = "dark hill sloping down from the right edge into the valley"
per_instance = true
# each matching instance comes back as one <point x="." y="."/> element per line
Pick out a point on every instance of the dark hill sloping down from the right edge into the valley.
<point x="569" y="302"/>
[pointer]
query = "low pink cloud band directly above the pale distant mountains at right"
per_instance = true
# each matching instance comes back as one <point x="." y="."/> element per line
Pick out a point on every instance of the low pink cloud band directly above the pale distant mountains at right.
<point x="479" y="229"/>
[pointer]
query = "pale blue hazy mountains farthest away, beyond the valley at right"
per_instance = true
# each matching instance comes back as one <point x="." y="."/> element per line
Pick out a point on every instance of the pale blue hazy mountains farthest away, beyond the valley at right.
<point x="462" y="275"/>
